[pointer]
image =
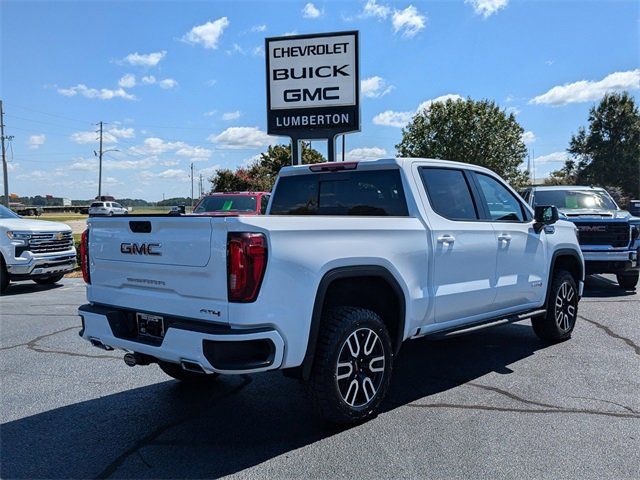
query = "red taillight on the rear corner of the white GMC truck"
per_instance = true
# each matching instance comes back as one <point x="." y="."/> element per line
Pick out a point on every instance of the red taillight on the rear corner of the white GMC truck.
<point x="246" y="263"/>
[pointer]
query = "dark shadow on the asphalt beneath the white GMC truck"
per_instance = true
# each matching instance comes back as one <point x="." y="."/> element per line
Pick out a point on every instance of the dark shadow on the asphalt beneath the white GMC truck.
<point x="165" y="430"/>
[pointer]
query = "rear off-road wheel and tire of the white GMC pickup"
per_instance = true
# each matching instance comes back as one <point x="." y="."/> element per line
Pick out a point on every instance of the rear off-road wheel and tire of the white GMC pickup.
<point x="338" y="327"/>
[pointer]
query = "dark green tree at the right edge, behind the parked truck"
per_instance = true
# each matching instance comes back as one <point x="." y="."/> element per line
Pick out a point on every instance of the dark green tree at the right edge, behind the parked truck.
<point x="608" y="151"/>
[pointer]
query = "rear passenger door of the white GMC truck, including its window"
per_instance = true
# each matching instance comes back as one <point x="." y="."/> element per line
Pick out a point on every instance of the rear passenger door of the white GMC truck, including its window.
<point x="464" y="248"/>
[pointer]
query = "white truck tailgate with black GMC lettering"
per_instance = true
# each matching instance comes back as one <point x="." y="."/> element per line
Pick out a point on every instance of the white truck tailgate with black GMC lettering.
<point x="160" y="264"/>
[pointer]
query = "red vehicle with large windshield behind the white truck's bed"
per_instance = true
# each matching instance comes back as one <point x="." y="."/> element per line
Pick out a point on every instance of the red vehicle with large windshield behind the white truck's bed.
<point x="233" y="203"/>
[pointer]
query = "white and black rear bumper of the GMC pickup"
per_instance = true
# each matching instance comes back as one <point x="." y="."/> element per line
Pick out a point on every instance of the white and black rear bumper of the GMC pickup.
<point x="215" y="348"/>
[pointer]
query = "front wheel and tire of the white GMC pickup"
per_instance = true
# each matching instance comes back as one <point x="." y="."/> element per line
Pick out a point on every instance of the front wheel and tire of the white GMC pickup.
<point x="562" y="309"/>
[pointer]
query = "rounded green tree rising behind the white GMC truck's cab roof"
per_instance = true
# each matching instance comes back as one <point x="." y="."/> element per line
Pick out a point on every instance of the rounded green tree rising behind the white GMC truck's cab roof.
<point x="470" y="131"/>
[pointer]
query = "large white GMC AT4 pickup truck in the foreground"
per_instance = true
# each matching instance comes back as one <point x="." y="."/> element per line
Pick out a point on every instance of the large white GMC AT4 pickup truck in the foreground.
<point x="351" y="260"/>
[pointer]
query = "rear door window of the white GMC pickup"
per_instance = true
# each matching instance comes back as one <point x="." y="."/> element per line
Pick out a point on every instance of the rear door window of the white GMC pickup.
<point x="449" y="193"/>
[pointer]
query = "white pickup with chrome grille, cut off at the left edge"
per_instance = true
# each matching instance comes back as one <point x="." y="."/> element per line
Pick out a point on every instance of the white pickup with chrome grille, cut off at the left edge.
<point x="34" y="250"/>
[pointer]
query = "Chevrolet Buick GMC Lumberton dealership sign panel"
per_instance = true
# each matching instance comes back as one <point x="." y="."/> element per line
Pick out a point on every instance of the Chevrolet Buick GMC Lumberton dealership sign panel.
<point x="312" y="85"/>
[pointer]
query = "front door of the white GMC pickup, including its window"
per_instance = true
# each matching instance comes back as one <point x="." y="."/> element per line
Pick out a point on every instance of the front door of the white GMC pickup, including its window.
<point x="522" y="267"/>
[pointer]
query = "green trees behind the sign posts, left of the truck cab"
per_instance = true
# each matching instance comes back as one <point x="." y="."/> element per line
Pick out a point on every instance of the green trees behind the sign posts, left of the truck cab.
<point x="262" y="173"/>
